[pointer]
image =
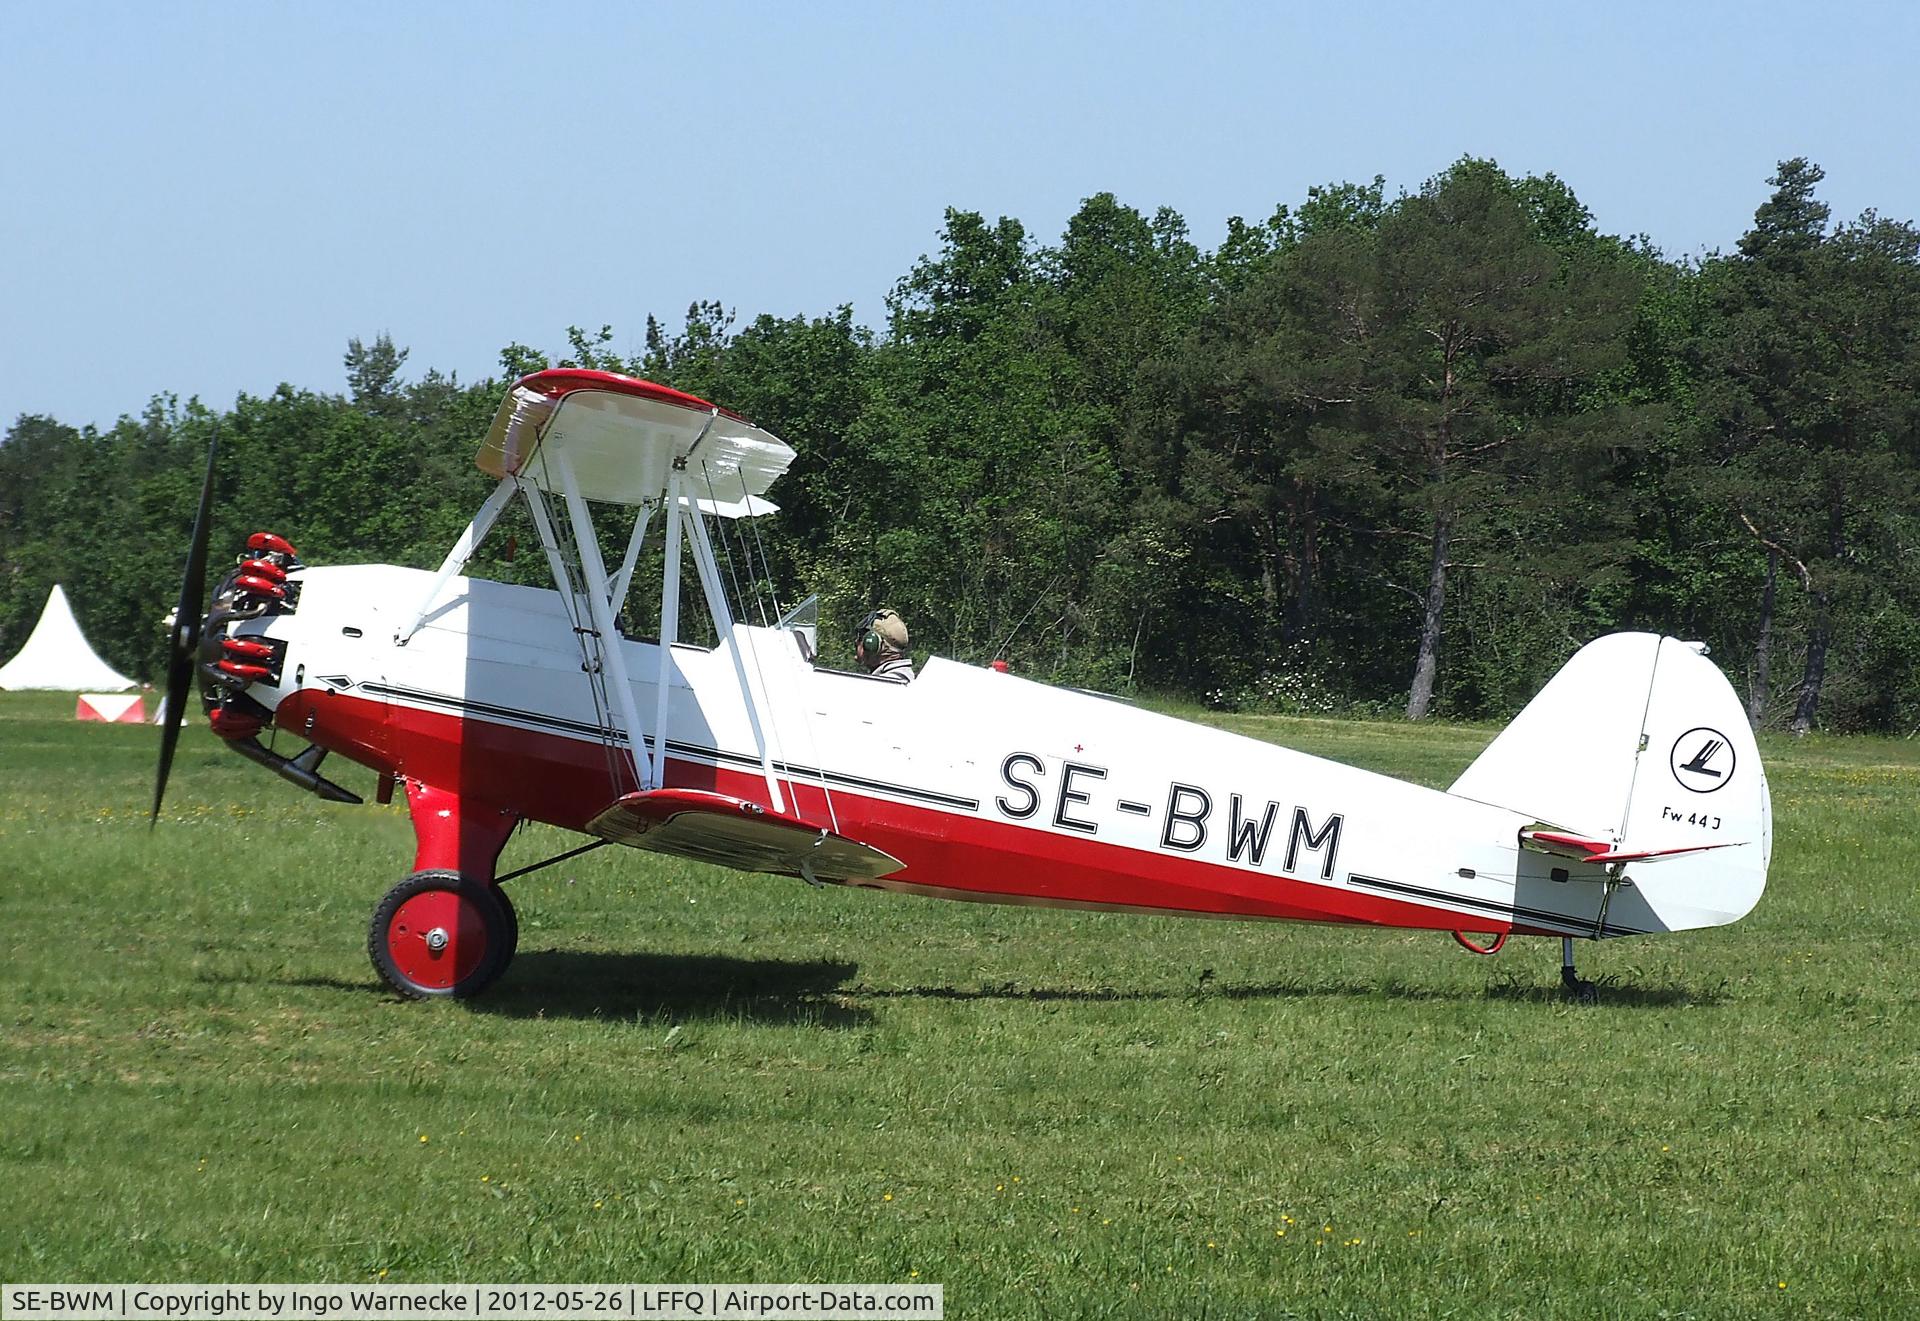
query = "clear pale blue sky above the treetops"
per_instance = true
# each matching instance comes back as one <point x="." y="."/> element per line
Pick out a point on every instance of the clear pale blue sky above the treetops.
<point x="212" y="199"/>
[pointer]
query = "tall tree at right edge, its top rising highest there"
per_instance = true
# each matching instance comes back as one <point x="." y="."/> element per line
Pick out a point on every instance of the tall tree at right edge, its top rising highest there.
<point x="1812" y="400"/>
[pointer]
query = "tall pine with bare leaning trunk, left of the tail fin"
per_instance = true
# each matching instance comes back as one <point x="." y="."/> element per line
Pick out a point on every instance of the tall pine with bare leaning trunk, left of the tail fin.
<point x="1443" y="360"/>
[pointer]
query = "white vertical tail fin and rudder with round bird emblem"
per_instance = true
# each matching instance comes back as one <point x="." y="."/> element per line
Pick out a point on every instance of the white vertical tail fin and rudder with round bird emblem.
<point x="1641" y="742"/>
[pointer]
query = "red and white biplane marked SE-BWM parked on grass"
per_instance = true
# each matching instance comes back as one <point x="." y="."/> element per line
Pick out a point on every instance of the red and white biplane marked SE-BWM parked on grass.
<point x="1625" y="800"/>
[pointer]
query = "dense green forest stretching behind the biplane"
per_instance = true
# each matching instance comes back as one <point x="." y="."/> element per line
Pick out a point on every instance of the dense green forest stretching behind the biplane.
<point x="1376" y="454"/>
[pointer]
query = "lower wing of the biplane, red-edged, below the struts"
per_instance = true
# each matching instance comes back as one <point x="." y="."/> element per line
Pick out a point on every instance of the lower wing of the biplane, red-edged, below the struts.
<point x="738" y="834"/>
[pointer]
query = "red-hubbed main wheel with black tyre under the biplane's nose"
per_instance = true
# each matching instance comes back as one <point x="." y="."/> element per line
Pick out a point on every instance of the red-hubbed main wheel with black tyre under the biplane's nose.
<point x="439" y="934"/>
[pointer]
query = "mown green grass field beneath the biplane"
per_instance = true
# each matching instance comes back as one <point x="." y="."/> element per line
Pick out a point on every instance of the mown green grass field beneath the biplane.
<point x="700" y="1076"/>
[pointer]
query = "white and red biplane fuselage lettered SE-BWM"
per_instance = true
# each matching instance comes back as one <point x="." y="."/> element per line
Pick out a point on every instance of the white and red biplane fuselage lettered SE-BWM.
<point x="982" y="784"/>
